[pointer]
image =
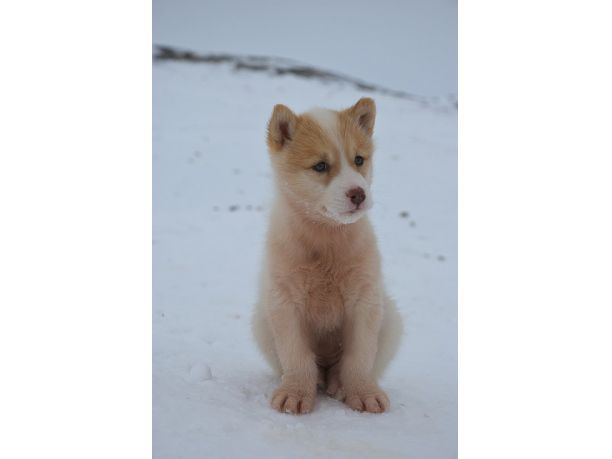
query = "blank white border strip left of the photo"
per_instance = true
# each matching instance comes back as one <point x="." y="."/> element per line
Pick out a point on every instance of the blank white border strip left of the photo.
<point x="75" y="250"/>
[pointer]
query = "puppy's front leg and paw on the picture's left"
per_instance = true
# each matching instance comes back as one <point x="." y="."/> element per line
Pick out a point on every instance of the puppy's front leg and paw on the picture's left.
<point x="297" y="391"/>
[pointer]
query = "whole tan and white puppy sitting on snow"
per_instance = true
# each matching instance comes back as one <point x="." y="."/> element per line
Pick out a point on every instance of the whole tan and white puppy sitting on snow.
<point x="323" y="317"/>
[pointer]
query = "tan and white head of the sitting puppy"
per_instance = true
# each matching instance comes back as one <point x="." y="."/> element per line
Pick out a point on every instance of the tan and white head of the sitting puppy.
<point x="323" y="160"/>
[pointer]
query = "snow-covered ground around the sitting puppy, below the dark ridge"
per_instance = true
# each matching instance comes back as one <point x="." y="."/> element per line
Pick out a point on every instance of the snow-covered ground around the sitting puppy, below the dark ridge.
<point x="212" y="193"/>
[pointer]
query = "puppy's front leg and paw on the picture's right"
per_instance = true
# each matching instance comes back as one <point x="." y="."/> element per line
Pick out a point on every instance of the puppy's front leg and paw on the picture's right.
<point x="360" y="338"/>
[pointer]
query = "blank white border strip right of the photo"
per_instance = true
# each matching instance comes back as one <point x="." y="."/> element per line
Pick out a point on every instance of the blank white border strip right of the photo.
<point x="535" y="254"/>
